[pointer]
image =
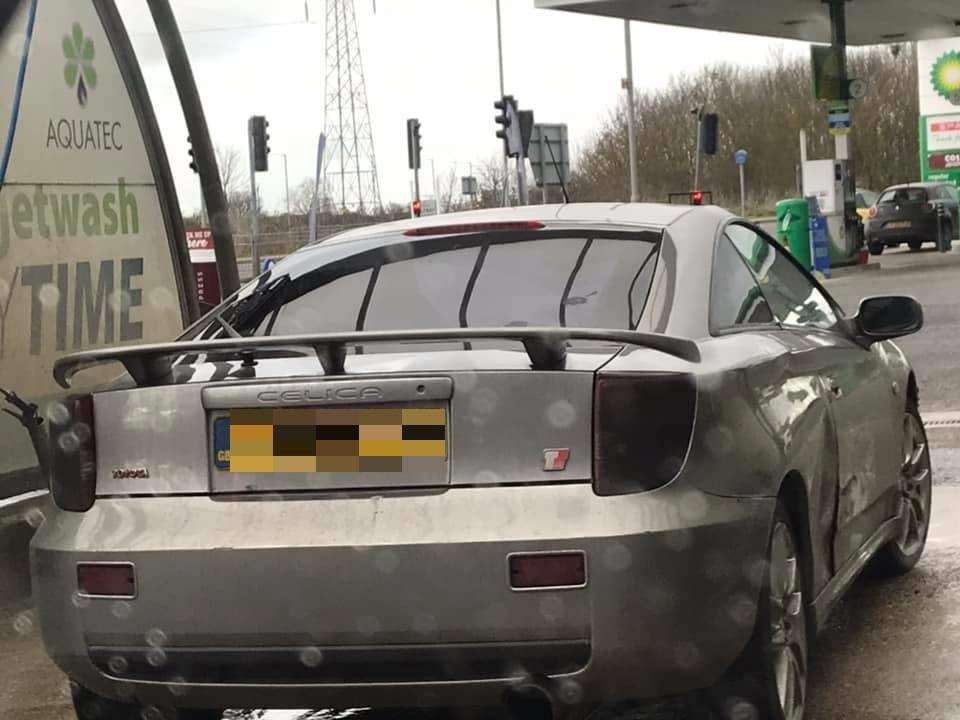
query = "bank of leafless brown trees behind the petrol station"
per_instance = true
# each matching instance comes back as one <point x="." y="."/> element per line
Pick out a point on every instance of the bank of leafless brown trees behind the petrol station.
<point x="762" y="110"/>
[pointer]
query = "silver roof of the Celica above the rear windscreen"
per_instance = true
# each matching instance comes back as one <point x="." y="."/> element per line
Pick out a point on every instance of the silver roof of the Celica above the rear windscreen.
<point x="649" y="215"/>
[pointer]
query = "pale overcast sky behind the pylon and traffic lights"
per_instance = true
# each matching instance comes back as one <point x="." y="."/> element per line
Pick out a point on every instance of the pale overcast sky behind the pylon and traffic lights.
<point x="431" y="59"/>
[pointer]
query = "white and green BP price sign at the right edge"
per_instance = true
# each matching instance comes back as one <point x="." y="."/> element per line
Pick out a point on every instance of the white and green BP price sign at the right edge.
<point x="939" y="64"/>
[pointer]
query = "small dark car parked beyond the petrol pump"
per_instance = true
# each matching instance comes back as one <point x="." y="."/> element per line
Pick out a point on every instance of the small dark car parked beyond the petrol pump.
<point x="912" y="214"/>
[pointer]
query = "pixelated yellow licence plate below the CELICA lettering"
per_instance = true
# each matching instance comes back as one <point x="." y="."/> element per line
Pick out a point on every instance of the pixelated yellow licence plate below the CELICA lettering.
<point x="325" y="440"/>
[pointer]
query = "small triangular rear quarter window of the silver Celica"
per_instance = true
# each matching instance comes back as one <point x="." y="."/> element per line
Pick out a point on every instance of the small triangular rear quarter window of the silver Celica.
<point x="735" y="297"/>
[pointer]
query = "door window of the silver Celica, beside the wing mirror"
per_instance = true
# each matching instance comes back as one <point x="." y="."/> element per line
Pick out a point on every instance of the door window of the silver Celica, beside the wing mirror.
<point x="793" y="297"/>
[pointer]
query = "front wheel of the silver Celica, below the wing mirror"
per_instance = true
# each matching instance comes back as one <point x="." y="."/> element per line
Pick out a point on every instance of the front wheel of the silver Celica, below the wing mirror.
<point x="901" y="554"/>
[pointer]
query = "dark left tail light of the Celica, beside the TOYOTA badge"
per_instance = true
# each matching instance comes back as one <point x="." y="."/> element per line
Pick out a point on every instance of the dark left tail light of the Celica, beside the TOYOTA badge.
<point x="73" y="454"/>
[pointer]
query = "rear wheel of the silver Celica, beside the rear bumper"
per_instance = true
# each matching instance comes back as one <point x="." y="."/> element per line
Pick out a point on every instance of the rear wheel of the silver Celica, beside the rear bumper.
<point x="769" y="682"/>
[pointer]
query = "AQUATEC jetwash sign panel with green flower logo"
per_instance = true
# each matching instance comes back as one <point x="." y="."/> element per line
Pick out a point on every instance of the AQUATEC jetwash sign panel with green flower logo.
<point x="87" y="253"/>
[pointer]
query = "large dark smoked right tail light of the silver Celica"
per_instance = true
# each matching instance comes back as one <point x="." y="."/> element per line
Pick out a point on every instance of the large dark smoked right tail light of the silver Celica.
<point x="641" y="430"/>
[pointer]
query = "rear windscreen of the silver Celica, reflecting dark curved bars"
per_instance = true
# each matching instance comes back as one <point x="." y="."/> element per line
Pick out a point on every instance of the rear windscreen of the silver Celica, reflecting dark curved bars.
<point x="474" y="281"/>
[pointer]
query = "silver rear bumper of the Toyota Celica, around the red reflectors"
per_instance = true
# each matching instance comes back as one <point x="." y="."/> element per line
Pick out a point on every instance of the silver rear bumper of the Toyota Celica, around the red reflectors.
<point x="401" y="601"/>
